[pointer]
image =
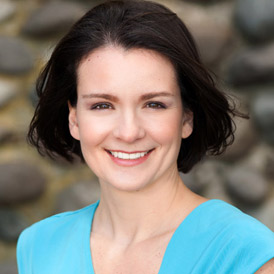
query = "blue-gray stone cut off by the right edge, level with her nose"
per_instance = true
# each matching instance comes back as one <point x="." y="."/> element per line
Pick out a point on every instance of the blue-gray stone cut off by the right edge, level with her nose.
<point x="263" y="111"/>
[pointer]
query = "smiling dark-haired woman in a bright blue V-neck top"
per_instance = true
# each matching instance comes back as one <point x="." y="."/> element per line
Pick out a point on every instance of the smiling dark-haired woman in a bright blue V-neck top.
<point x="125" y="90"/>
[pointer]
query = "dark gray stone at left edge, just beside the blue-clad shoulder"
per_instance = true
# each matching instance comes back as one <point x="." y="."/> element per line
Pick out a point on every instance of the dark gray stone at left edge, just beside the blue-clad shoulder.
<point x="12" y="224"/>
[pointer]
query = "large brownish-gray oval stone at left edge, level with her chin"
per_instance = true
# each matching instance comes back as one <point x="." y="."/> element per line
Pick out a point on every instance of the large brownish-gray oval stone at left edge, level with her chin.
<point x="20" y="182"/>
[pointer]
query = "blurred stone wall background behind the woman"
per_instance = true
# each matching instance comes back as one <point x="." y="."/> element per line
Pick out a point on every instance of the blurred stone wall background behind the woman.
<point x="236" y="42"/>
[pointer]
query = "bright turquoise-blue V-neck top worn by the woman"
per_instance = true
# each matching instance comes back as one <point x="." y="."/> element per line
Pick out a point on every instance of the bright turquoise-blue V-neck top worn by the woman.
<point x="214" y="238"/>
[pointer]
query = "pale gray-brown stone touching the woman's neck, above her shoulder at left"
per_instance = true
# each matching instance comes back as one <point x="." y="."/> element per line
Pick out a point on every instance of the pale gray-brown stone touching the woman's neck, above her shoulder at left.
<point x="78" y="195"/>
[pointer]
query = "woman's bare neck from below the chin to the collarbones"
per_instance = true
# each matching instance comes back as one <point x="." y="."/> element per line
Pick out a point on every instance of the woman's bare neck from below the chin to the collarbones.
<point x="135" y="216"/>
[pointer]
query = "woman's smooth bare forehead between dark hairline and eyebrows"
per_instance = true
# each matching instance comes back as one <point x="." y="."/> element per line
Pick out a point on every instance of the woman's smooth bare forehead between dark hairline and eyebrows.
<point x="113" y="66"/>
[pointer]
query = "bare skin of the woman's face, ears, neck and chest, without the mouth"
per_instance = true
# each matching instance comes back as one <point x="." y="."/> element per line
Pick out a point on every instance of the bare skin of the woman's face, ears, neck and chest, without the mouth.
<point x="129" y="100"/>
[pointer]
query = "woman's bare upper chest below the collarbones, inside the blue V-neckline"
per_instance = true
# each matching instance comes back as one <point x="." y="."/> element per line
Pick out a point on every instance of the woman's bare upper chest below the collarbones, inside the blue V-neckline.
<point x="145" y="257"/>
